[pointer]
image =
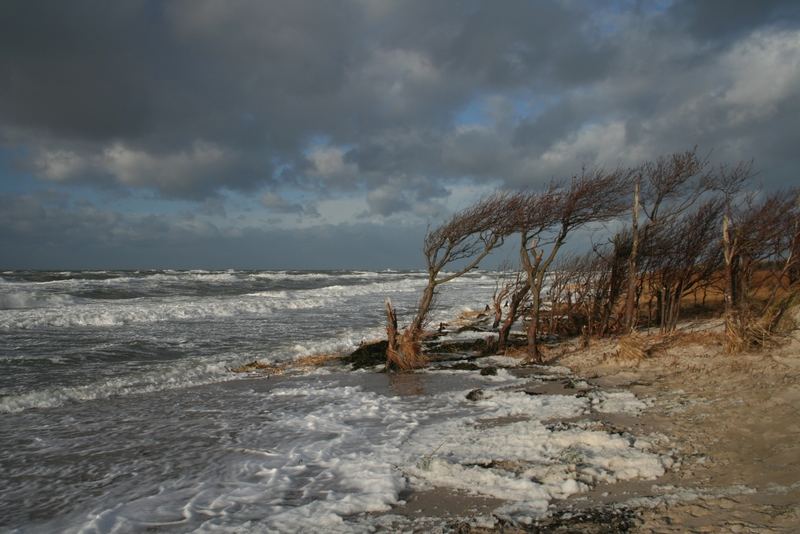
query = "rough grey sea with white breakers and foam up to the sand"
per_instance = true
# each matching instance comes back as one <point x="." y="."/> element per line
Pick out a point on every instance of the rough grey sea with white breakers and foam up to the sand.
<point x="119" y="411"/>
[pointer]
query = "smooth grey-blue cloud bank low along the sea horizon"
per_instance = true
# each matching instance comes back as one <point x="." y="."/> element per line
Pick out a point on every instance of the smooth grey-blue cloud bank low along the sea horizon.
<point x="47" y="231"/>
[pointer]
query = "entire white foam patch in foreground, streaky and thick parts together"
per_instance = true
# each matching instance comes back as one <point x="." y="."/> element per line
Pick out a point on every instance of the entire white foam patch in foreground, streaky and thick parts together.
<point x="335" y="451"/>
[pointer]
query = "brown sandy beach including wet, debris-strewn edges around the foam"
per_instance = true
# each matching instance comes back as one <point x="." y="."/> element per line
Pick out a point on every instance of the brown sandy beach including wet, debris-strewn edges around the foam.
<point x="729" y="423"/>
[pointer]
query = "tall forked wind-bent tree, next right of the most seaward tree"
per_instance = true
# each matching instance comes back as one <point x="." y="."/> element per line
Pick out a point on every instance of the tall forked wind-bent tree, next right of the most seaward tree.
<point x="548" y="218"/>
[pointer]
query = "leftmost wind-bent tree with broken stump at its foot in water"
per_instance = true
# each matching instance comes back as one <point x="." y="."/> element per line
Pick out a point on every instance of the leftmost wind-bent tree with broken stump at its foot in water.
<point x="468" y="236"/>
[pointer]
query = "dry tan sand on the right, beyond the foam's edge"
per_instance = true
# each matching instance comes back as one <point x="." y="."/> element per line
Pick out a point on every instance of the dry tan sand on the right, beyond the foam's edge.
<point x="733" y="421"/>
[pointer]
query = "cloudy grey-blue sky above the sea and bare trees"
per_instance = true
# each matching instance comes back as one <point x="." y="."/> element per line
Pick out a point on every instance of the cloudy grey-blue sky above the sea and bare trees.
<point x="308" y="134"/>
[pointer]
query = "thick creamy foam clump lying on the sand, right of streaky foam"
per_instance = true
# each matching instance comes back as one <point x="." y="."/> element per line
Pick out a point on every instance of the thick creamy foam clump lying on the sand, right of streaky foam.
<point x="551" y="464"/>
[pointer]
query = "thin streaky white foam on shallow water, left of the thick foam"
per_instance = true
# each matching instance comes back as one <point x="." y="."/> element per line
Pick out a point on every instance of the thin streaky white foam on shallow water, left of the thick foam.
<point x="333" y="462"/>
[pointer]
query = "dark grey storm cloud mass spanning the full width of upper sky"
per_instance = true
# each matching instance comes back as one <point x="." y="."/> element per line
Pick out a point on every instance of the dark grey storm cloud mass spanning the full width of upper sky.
<point x="190" y="98"/>
